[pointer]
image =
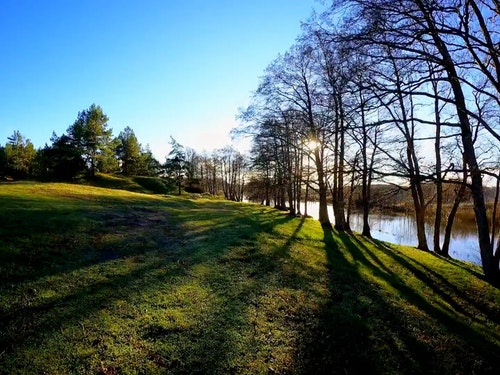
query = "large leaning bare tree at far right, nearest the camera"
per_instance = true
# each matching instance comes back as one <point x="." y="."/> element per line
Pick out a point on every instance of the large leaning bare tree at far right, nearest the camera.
<point x="411" y="25"/>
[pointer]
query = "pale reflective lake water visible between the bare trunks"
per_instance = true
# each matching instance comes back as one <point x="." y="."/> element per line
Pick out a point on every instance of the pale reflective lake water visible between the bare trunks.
<point x="401" y="229"/>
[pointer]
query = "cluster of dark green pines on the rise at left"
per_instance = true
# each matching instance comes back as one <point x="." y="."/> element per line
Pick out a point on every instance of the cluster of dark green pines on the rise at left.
<point x="87" y="146"/>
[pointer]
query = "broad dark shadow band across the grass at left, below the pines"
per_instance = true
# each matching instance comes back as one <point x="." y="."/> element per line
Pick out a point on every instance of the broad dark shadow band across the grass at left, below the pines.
<point x="43" y="238"/>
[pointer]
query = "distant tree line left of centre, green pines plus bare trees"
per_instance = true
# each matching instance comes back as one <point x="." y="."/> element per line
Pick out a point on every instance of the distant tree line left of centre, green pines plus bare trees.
<point x="88" y="146"/>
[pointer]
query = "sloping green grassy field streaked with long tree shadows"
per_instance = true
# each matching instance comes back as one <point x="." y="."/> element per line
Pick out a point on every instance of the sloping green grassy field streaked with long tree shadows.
<point x="101" y="281"/>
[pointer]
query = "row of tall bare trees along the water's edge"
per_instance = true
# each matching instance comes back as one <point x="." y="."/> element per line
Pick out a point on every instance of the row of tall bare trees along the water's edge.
<point x="404" y="92"/>
